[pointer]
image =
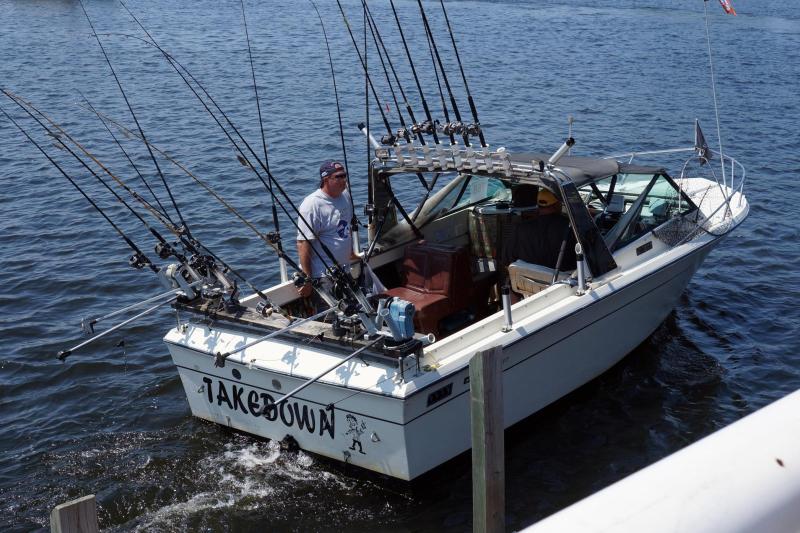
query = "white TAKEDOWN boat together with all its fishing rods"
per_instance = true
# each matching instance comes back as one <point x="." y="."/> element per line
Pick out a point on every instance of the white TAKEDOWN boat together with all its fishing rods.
<point x="378" y="377"/>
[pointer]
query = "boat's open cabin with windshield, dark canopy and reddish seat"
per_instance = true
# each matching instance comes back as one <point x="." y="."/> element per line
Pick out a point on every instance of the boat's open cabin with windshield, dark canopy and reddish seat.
<point x="440" y="237"/>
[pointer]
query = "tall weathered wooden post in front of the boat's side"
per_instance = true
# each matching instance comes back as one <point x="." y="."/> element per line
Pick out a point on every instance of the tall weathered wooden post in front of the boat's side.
<point x="488" y="468"/>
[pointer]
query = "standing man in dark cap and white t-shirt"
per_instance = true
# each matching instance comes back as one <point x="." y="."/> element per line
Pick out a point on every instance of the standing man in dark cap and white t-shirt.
<point x="328" y="213"/>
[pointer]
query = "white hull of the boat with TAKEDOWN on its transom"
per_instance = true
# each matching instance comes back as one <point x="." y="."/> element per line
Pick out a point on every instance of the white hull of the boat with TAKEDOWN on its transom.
<point x="405" y="436"/>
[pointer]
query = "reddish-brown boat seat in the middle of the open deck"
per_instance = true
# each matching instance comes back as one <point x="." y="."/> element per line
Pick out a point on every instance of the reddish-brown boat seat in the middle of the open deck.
<point x="437" y="279"/>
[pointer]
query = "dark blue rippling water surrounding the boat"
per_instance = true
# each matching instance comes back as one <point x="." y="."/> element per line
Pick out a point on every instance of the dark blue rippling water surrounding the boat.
<point x="115" y="422"/>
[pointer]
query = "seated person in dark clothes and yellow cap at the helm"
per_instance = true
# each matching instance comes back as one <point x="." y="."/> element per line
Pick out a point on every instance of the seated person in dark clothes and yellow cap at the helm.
<point x="538" y="240"/>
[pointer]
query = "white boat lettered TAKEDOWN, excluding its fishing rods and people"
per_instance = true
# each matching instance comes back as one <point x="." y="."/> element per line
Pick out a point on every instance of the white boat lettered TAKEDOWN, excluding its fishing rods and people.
<point x="401" y="407"/>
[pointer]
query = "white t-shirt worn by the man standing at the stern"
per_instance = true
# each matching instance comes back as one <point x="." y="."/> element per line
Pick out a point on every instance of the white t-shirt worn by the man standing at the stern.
<point x="329" y="219"/>
